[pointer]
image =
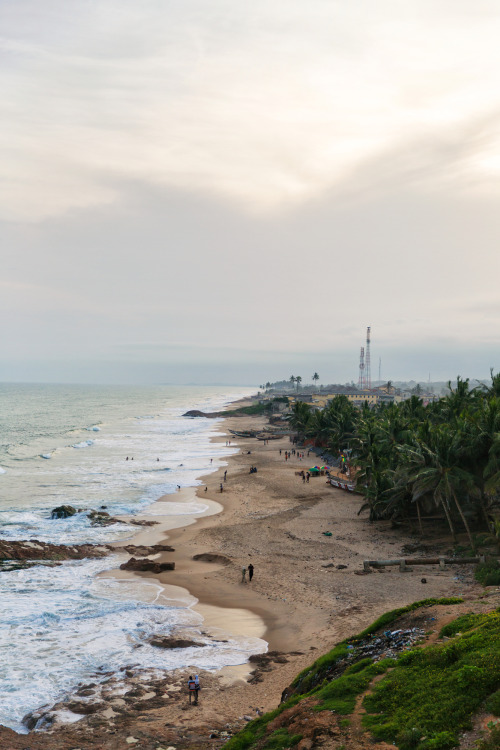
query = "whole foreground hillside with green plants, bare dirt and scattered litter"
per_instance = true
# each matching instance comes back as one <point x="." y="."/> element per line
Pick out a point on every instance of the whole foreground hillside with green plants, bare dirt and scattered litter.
<point x="420" y="697"/>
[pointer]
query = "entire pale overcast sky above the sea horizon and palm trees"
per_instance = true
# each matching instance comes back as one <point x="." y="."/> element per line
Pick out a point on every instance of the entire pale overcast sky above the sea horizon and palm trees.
<point x="231" y="192"/>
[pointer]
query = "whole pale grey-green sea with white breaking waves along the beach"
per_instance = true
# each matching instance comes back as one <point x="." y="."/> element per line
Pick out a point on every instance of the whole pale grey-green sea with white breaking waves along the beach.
<point x="69" y="445"/>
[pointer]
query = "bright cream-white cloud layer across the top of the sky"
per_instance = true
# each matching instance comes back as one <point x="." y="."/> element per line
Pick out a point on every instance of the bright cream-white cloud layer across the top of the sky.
<point x="266" y="105"/>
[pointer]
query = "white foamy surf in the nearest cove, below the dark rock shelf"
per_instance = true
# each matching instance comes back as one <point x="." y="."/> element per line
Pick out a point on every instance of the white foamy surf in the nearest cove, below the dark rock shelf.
<point x="83" y="625"/>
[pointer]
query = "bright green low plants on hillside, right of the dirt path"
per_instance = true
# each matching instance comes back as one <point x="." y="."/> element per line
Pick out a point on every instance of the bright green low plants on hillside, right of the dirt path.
<point x="436" y="690"/>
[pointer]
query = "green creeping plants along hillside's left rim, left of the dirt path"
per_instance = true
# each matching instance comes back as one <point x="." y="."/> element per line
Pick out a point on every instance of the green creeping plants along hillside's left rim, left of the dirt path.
<point x="334" y="694"/>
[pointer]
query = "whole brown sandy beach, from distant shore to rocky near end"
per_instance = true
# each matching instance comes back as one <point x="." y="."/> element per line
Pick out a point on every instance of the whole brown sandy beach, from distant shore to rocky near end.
<point x="308" y="592"/>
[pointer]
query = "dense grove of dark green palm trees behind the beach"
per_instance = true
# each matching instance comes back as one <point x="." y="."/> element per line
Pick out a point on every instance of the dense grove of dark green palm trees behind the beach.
<point x="416" y="461"/>
